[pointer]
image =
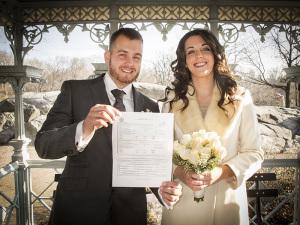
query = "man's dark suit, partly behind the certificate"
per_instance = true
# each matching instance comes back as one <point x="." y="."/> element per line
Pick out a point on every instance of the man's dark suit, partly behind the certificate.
<point x="84" y="193"/>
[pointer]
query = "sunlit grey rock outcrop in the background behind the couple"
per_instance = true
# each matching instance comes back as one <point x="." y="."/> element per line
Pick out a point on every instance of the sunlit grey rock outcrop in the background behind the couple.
<point x="280" y="127"/>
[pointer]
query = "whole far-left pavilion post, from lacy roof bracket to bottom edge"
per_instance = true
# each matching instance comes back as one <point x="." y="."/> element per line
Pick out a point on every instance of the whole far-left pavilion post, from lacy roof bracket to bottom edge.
<point x="16" y="76"/>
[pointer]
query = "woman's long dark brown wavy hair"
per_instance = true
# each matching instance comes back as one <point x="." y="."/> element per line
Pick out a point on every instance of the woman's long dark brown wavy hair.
<point x="222" y="74"/>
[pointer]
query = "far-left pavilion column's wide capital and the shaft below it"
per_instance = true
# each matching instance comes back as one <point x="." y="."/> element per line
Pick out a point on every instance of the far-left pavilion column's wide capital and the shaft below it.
<point x="18" y="76"/>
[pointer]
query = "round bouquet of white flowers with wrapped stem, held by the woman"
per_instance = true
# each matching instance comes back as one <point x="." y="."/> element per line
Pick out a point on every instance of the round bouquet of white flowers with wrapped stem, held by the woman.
<point x="198" y="152"/>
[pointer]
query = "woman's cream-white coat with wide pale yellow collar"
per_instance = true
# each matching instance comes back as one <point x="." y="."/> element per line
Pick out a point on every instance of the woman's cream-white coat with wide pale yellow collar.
<point x="225" y="202"/>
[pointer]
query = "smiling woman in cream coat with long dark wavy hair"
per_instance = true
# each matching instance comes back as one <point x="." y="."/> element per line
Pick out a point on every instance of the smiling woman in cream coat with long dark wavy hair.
<point x="205" y="96"/>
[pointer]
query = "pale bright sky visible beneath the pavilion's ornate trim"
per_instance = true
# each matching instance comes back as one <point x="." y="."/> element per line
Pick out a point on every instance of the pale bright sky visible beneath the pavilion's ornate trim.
<point x="81" y="45"/>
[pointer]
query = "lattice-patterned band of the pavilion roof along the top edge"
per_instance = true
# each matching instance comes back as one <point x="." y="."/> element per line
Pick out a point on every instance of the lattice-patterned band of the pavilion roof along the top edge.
<point x="77" y="11"/>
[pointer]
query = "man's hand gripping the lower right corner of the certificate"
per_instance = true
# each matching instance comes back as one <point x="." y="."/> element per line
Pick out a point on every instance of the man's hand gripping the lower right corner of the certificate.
<point x="170" y="192"/>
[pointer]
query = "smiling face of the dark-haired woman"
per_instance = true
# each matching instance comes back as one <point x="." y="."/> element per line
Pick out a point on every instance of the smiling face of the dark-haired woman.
<point x="199" y="57"/>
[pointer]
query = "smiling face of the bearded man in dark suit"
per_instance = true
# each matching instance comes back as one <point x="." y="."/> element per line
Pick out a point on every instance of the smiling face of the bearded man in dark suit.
<point x="124" y="60"/>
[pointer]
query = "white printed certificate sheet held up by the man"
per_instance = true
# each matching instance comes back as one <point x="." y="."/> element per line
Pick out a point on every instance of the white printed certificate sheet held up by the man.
<point x="142" y="149"/>
